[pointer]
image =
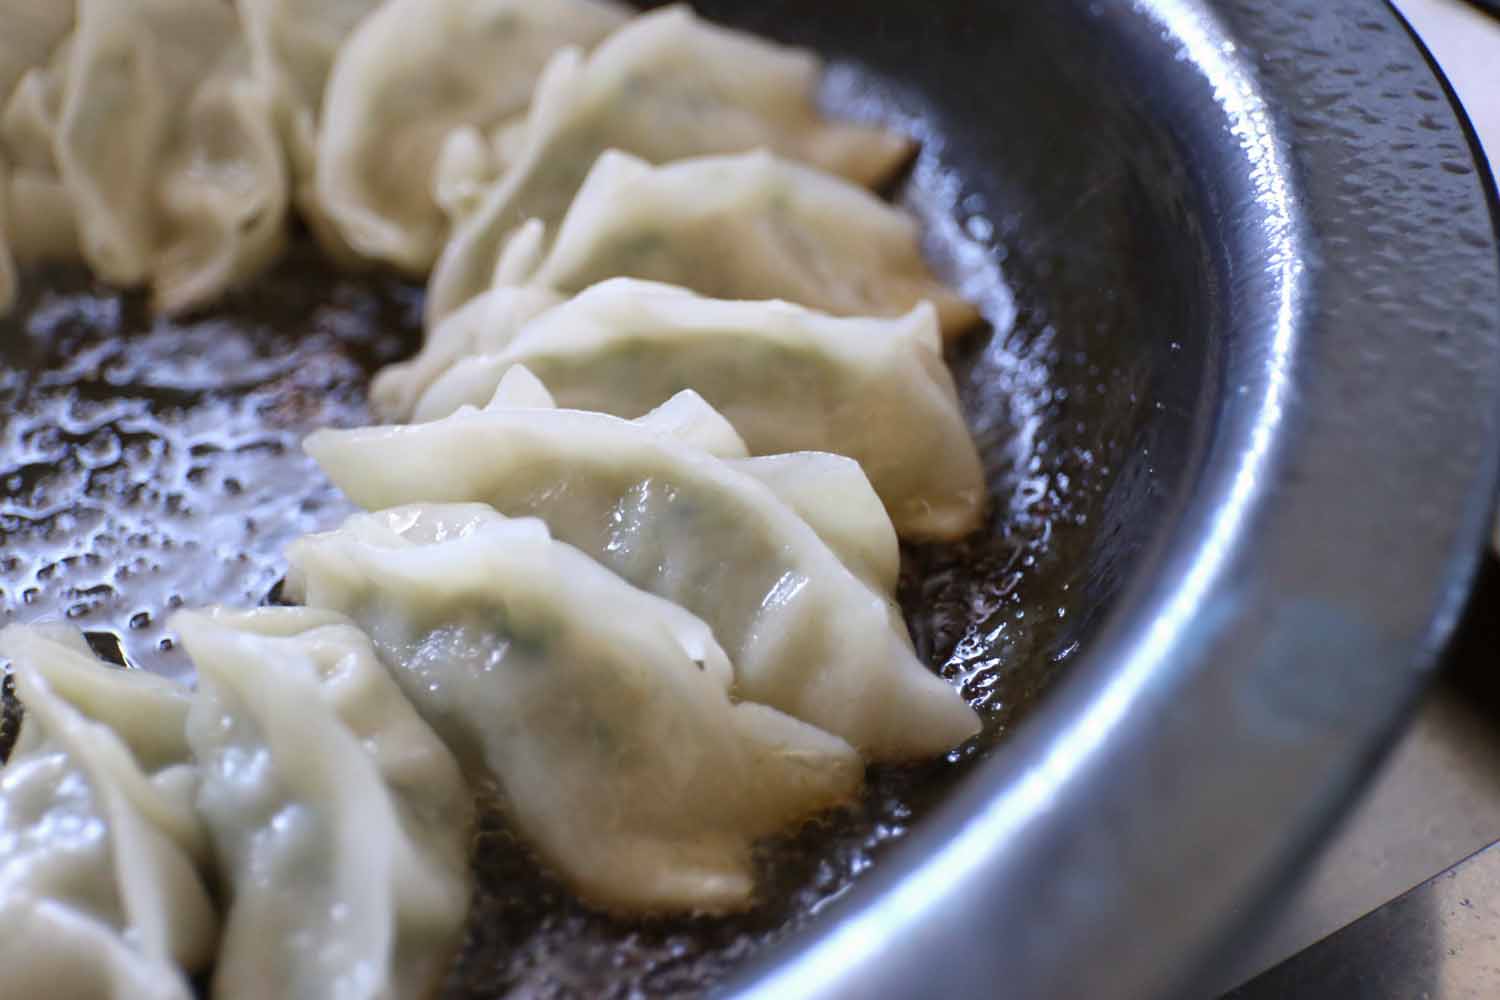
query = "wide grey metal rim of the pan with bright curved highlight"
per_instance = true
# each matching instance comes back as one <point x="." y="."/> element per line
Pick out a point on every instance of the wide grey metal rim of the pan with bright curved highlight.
<point x="1276" y="638"/>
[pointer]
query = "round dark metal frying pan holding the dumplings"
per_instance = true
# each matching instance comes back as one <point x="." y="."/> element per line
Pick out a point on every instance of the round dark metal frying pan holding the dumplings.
<point x="1238" y="406"/>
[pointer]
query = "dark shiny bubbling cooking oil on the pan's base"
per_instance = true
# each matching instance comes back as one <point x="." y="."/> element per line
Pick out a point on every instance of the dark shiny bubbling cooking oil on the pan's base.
<point x="154" y="464"/>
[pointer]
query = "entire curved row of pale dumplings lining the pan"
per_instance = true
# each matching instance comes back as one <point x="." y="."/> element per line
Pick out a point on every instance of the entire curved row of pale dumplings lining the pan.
<point x="632" y="536"/>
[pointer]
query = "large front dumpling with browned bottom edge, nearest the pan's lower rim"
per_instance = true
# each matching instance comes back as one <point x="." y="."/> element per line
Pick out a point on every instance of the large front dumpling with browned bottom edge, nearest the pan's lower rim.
<point x="602" y="711"/>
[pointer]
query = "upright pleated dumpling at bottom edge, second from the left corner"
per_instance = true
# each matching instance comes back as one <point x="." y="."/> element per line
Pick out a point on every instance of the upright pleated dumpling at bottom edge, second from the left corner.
<point x="340" y="819"/>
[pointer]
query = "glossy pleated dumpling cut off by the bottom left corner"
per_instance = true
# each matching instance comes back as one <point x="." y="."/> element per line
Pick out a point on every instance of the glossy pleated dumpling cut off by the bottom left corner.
<point x="100" y="848"/>
